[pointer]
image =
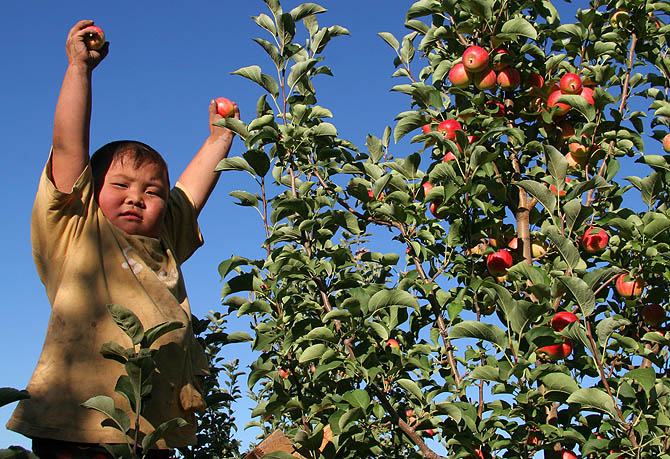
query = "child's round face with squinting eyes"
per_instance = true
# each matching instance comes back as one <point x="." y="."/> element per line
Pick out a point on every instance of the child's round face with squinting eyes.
<point x="134" y="198"/>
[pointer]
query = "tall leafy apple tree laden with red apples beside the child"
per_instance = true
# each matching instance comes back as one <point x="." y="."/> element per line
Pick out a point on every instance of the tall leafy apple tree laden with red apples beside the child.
<point x="499" y="287"/>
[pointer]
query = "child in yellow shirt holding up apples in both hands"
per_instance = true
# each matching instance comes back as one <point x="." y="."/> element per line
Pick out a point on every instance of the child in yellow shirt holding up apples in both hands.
<point x="109" y="230"/>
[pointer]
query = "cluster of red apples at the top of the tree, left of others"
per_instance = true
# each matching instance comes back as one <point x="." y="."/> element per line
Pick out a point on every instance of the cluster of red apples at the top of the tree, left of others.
<point x="474" y="69"/>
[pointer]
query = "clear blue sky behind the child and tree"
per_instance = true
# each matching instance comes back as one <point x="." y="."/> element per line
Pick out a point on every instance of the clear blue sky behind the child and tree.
<point x="167" y="60"/>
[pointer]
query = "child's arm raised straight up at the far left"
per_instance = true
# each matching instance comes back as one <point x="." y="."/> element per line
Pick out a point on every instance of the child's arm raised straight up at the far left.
<point x="73" y="110"/>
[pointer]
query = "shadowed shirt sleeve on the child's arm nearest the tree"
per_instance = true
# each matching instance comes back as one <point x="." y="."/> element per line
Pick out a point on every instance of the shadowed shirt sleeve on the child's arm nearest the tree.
<point x="180" y="224"/>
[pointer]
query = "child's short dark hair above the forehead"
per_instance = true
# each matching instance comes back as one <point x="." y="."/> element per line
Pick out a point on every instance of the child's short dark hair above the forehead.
<point x="120" y="150"/>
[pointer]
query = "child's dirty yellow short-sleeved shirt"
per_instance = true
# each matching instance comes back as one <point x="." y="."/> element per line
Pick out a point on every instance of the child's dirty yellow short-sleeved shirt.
<point x="85" y="263"/>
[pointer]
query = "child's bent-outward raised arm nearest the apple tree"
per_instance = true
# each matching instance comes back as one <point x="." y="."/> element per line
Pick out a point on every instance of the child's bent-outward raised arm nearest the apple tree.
<point x="199" y="177"/>
